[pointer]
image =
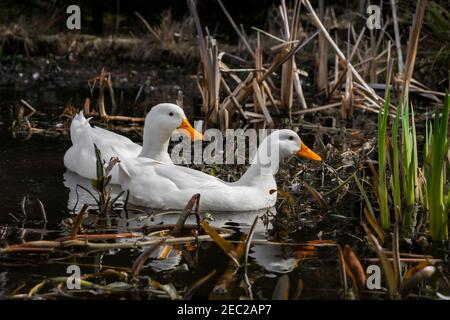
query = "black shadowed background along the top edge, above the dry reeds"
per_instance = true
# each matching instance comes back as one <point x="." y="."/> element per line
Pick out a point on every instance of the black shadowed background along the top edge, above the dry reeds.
<point x="98" y="16"/>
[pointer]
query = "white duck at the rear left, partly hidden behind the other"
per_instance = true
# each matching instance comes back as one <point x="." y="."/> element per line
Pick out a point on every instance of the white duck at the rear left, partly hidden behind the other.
<point x="162" y="120"/>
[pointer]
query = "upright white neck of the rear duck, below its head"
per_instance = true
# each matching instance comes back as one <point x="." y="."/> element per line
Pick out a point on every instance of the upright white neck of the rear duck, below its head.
<point x="156" y="142"/>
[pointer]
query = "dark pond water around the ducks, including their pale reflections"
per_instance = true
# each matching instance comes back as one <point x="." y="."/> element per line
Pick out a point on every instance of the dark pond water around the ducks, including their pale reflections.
<point x="34" y="168"/>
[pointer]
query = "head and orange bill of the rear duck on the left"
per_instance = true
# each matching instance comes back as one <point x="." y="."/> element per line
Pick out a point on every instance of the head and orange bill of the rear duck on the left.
<point x="168" y="117"/>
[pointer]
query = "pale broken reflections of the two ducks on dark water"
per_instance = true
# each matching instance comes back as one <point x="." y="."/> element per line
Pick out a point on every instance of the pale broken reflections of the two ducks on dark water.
<point x="271" y="257"/>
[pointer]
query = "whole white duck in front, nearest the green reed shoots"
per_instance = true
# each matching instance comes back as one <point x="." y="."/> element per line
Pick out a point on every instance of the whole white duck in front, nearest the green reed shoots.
<point x="161" y="186"/>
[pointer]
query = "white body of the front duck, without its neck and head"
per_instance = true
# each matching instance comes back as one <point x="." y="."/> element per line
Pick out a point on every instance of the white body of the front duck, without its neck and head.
<point x="161" y="186"/>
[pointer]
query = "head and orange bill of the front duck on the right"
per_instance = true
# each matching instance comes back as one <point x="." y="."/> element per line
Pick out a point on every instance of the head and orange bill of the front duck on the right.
<point x="291" y="144"/>
